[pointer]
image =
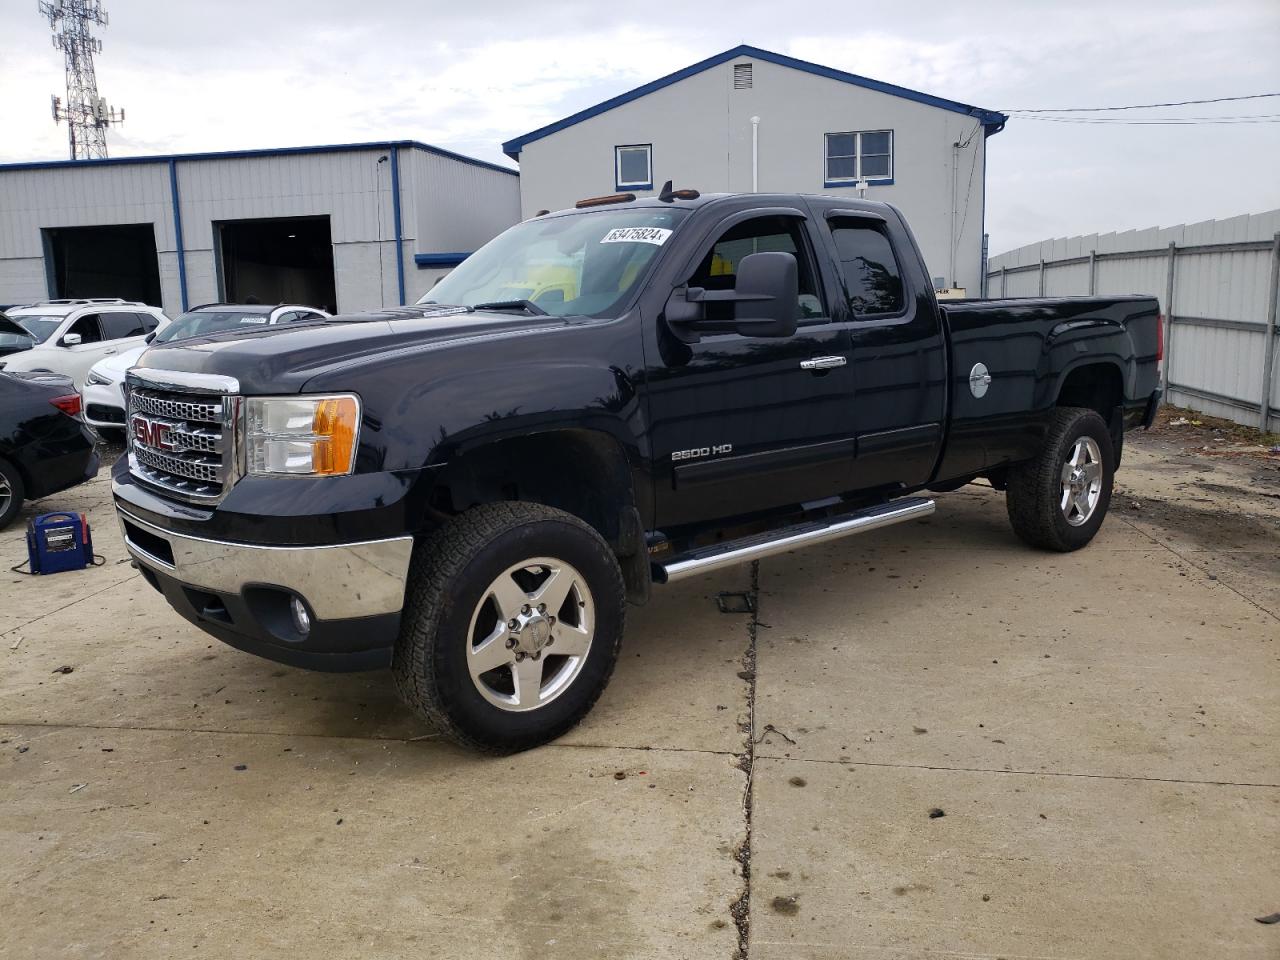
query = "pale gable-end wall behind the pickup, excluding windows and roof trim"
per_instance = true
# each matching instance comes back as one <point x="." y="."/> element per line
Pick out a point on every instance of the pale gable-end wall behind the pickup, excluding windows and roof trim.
<point x="701" y="130"/>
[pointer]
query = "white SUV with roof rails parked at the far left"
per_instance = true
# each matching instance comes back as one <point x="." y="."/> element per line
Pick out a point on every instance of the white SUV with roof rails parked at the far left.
<point x="71" y="336"/>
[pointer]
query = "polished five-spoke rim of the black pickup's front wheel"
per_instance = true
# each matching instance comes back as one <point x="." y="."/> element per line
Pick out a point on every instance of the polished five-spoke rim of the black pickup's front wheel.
<point x="531" y="634"/>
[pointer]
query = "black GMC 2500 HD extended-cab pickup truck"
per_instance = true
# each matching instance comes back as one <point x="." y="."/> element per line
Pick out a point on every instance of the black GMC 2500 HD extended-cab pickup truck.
<point x="470" y="491"/>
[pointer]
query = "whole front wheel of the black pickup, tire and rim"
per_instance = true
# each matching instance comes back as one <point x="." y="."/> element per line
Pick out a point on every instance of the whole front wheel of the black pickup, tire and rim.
<point x="513" y="623"/>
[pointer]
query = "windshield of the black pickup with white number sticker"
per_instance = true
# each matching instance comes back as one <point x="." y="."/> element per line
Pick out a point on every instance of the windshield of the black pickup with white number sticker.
<point x="582" y="264"/>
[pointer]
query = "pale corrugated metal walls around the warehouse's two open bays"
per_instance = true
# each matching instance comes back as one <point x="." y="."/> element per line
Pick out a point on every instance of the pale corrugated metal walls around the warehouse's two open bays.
<point x="449" y="204"/>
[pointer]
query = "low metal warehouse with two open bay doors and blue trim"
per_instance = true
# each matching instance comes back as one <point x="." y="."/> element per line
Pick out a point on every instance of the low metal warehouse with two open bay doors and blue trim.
<point x="345" y="228"/>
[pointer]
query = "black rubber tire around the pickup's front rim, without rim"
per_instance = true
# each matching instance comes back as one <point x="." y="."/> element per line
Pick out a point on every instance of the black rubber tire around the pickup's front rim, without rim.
<point x="447" y="577"/>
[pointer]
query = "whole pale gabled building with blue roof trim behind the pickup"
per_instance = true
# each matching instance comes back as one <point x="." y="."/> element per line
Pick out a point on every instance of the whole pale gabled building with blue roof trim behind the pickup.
<point x="751" y="120"/>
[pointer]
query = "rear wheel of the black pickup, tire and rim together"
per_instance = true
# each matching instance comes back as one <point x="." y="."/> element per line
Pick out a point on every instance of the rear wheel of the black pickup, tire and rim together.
<point x="1059" y="500"/>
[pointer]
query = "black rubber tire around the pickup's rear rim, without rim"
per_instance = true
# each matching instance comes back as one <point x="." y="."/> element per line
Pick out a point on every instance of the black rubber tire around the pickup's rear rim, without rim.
<point x="1034" y="496"/>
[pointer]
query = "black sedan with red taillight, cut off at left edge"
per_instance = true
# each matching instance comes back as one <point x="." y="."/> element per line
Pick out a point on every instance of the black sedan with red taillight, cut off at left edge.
<point x="44" y="447"/>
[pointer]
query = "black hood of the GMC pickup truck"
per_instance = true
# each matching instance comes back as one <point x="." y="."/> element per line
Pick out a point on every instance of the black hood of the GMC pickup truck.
<point x="282" y="359"/>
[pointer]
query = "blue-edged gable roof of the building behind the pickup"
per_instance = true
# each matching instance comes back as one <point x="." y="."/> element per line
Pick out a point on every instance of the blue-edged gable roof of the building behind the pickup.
<point x="993" y="121"/>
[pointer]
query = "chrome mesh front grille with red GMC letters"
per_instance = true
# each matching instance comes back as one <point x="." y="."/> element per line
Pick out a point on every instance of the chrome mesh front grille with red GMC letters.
<point x="182" y="441"/>
